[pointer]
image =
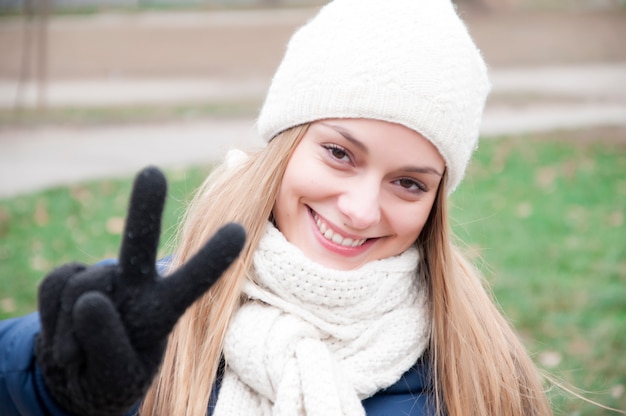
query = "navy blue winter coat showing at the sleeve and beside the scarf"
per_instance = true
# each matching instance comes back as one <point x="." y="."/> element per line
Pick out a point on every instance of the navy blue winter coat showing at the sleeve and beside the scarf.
<point x="23" y="391"/>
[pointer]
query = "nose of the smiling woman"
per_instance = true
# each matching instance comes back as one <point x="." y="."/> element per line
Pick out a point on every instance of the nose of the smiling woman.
<point x="360" y="204"/>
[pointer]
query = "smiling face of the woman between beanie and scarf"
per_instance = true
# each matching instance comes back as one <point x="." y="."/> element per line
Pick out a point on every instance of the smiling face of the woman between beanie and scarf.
<point x="357" y="190"/>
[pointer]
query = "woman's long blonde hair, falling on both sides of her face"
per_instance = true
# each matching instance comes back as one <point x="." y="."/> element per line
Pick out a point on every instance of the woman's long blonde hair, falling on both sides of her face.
<point x="478" y="365"/>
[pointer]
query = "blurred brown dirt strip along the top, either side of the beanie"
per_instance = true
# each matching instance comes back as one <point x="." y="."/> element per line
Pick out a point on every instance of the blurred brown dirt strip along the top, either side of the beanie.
<point x="250" y="44"/>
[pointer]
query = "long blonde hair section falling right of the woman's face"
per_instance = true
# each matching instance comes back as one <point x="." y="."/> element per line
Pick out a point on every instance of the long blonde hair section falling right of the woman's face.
<point x="478" y="363"/>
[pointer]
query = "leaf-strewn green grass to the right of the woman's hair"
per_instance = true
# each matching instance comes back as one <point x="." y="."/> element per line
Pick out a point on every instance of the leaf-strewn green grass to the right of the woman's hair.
<point x="547" y="219"/>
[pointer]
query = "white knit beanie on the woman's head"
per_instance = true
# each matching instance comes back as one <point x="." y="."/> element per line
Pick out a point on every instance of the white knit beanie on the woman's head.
<point x="410" y="62"/>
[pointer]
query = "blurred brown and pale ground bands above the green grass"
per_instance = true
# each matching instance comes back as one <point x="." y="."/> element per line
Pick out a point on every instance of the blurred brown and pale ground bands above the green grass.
<point x="67" y="65"/>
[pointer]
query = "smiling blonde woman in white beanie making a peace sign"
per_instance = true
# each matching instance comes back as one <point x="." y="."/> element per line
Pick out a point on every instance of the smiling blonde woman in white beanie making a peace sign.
<point x="349" y="296"/>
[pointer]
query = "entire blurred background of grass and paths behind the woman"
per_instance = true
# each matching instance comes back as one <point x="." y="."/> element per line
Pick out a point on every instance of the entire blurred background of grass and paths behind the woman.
<point x="93" y="90"/>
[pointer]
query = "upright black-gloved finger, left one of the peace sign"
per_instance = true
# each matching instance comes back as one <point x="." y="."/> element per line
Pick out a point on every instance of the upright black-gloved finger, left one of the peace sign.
<point x="143" y="226"/>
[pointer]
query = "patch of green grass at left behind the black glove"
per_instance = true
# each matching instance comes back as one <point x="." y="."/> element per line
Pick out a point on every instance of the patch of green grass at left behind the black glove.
<point x="77" y="223"/>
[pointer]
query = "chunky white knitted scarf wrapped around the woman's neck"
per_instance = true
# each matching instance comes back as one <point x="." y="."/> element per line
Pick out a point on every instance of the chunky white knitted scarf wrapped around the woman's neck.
<point x="316" y="341"/>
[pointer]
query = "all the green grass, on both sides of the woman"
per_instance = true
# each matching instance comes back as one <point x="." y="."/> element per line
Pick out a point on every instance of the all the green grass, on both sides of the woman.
<point x="545" y="219"/>
